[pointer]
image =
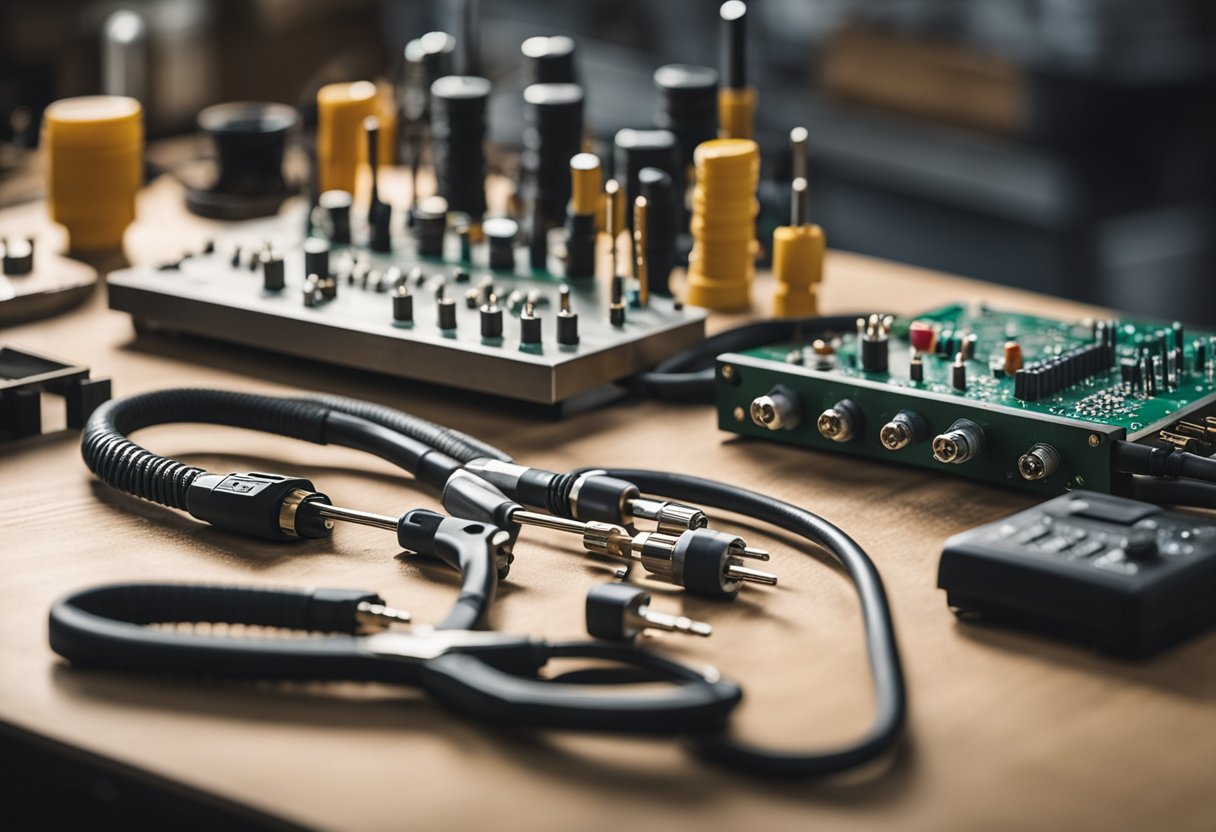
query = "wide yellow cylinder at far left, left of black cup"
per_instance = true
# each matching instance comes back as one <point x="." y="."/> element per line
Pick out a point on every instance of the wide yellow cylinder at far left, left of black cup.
<point x="94" y="150"/>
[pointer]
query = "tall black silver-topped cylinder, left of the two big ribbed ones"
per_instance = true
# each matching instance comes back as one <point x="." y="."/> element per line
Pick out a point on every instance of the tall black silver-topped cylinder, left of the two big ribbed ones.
<point x="458" y="133"/>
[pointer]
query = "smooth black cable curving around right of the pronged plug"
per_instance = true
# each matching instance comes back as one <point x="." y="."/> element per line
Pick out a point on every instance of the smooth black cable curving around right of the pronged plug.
<point x="891" y="695"/>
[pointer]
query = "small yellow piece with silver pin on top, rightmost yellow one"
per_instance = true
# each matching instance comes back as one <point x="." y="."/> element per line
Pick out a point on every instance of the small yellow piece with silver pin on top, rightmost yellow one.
<point x="798" y="261"/>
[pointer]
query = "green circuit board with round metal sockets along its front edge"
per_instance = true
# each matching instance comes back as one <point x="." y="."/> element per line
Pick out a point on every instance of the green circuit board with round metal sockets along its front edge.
<point x="1082" y="384"/>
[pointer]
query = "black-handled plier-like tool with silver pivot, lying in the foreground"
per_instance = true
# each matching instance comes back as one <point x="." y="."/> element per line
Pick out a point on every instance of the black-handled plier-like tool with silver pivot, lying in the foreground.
<point x="488" y="676"/>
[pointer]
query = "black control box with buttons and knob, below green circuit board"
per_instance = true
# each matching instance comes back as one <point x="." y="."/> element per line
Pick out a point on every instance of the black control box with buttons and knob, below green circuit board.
<point x="1125" y="577"/>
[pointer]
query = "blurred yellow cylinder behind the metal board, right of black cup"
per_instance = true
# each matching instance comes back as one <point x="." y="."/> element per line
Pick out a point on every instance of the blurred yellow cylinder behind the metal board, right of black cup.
<point x="341" y="142"/>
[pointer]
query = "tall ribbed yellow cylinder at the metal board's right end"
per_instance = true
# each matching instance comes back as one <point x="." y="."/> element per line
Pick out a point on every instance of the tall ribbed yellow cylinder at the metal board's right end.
<point x="723" y="261"/>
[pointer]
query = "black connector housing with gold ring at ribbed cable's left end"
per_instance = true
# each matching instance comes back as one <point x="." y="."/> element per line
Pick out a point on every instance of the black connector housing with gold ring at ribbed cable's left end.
<point x="258" y="504"/>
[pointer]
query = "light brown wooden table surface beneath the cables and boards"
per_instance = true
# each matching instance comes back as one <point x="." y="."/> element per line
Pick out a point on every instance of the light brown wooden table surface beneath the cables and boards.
<point x="1005" y="730"/>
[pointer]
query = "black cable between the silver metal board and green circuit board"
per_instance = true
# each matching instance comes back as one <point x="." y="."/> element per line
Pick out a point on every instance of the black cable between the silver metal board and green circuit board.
<point x="689" y="375"/>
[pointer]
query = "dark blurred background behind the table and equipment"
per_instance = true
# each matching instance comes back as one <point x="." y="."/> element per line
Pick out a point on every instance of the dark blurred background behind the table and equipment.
<point x="1065" y="147"/>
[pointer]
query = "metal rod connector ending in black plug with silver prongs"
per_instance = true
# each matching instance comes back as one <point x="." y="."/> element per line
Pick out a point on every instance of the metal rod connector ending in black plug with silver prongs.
<point x="702" y="561"/>
